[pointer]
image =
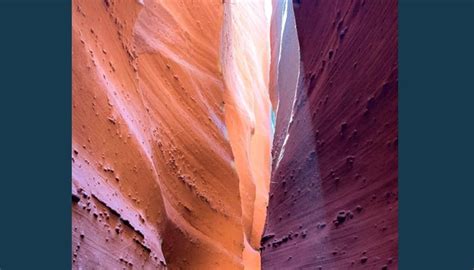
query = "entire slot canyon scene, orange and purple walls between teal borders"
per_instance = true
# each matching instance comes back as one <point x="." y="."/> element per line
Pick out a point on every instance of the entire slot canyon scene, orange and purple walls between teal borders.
<point x="234" y="134"/>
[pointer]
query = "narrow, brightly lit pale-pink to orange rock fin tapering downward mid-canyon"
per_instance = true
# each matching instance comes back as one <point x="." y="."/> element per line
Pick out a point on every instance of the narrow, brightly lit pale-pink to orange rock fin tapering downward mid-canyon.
<point x="246" y="64"/>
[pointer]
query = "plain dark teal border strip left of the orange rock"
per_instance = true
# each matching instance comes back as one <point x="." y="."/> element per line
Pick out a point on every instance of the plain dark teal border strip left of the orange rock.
<point x="35" y="134"/>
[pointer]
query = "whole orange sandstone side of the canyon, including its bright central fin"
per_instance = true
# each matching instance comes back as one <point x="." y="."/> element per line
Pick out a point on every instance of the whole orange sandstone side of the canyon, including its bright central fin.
<point x="171" y="133"/>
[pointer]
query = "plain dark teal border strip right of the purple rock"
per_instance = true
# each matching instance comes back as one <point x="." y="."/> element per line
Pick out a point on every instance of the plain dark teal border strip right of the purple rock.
<point x="436" y="134"/>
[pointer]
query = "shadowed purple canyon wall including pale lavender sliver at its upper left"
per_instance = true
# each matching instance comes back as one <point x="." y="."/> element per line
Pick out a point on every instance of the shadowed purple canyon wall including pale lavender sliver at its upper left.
<point x="334" y="193"/>
